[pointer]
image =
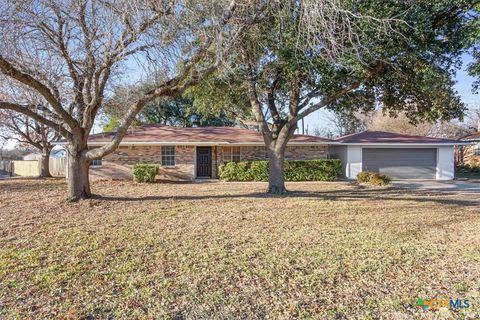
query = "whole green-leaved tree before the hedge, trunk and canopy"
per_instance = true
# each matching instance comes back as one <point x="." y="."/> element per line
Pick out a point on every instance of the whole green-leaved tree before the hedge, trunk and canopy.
<point x="346" y="57"/>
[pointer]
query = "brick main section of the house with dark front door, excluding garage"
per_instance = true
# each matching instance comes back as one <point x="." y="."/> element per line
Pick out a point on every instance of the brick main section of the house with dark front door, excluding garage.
<point x="185" y="154"/>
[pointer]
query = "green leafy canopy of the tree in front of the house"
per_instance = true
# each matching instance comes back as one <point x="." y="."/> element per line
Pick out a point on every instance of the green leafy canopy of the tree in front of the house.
<point x="407" y="67"/>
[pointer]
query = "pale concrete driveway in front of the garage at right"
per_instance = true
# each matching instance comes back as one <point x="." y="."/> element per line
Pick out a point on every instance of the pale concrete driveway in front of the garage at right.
<point x="433" y="185"/>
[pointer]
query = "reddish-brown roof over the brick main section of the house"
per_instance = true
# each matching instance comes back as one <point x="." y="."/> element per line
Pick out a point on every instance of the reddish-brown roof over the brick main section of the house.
<point x="202" y="135"/>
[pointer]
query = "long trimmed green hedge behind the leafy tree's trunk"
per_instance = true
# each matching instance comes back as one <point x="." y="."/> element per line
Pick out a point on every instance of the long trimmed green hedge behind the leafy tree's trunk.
<point x="295" y="170"/>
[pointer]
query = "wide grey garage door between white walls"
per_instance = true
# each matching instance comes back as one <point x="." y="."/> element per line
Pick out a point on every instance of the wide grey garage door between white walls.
<point x="401" y="163"/>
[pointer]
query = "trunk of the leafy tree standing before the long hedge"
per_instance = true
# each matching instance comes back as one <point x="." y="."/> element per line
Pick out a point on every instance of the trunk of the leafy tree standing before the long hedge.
<point x="276" y="174"/>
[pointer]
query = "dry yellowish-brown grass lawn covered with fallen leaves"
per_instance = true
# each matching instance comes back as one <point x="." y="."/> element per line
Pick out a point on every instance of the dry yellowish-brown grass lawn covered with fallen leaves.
<point x="224" y="250"/>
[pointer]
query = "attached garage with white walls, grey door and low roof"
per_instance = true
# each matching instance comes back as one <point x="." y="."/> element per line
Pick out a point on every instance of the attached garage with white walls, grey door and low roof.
<point x="399" y="156"/>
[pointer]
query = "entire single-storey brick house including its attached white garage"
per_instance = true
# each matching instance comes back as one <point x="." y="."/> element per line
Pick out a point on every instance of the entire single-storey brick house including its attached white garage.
<point x="191" y="153"/>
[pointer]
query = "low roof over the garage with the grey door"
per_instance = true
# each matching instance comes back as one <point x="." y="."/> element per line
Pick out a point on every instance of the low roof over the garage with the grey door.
<point x="383" y="137"/>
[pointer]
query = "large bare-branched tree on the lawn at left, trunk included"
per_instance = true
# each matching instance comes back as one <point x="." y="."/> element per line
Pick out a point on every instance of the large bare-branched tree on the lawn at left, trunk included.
<point x="70" y="53"/>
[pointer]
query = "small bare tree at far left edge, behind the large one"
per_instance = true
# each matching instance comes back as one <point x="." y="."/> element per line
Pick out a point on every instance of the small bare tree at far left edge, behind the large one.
<point x="28" y="132"/>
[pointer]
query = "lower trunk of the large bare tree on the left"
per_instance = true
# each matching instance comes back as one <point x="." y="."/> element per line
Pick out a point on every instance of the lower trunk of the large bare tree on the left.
<point x="77" y="177"/>
